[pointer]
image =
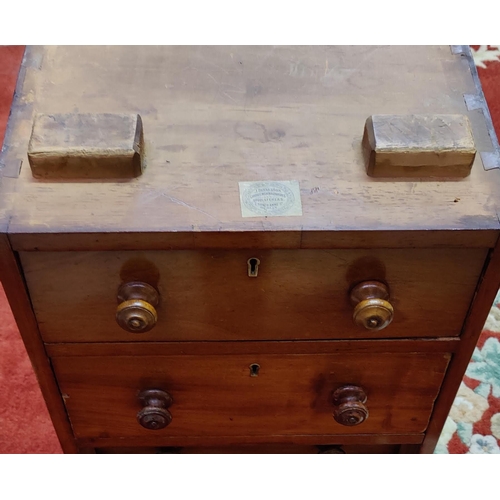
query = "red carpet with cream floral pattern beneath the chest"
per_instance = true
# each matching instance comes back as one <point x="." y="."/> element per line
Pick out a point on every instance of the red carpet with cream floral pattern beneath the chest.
<point x="474" y="422"/>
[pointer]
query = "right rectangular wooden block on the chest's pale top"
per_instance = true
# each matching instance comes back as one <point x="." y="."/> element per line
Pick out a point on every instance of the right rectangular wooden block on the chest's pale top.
<point x="418" y="146"/>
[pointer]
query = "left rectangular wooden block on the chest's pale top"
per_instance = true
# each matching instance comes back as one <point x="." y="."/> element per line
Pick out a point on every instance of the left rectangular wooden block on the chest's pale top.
<point x="86" y="146"/>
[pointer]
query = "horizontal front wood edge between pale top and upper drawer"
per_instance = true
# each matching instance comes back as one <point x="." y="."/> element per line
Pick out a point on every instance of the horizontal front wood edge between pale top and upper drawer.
<point x="293" y="239"/>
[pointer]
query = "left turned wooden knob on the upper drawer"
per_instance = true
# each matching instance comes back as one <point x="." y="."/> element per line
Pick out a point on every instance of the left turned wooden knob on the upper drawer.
<point x="136" y="311"/>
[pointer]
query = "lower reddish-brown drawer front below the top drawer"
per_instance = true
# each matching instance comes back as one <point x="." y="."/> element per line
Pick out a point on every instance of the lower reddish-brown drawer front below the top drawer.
<point x="217" y="395"/>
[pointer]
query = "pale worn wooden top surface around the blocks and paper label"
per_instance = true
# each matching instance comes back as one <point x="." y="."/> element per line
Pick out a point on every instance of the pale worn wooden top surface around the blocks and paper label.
<point x="217" y="116"/>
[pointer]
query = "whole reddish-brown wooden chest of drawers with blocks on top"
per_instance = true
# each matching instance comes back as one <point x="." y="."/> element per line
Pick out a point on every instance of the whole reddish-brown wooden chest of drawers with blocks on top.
<point x="198" y="260"/>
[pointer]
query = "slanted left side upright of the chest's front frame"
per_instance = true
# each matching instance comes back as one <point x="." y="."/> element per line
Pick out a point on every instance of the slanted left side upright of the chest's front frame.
<point x="20" y="304"/>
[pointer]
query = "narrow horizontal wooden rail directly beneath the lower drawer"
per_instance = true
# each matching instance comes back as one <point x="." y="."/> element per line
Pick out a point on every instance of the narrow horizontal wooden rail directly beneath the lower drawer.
<point x="313" y="439"/>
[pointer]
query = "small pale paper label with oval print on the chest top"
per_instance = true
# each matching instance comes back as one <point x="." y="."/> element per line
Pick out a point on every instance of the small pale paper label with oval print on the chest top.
<point x="270" y="199"/>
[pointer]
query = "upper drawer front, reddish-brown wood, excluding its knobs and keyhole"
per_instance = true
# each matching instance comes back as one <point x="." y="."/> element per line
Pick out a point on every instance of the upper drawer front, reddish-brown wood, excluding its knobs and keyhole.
<point x="297" y="294"/>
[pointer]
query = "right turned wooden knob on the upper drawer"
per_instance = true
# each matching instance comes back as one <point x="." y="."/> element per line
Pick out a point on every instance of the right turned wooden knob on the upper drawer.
<point x="372" y="309"/>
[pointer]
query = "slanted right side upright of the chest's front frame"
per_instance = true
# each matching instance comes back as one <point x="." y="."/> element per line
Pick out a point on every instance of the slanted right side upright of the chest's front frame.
<point x="485" y="294"/>
